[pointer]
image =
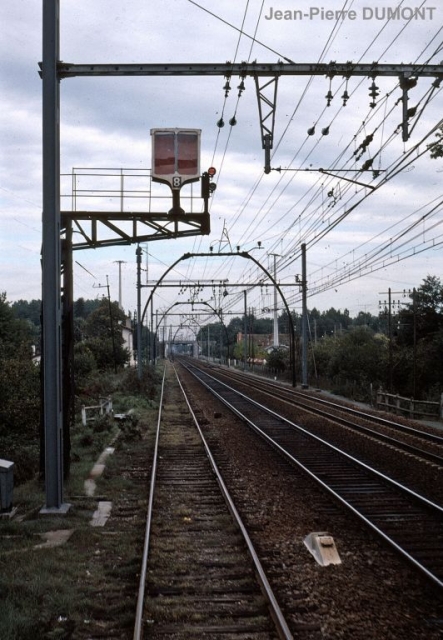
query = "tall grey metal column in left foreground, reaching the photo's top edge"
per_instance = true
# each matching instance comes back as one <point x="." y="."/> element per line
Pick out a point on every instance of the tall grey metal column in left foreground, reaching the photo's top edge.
<point x="51" y="263"/>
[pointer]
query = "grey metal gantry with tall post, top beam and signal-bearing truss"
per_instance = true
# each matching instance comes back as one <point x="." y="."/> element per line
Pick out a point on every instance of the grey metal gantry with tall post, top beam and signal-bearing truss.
<point x="53" y="71"/>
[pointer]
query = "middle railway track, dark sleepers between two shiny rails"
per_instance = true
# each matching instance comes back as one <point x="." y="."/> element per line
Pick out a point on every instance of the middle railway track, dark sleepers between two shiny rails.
<point x="411" y="524"/>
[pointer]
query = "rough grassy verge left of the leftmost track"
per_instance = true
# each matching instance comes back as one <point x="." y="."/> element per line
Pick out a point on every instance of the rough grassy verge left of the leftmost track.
<point x="79" y="588"/>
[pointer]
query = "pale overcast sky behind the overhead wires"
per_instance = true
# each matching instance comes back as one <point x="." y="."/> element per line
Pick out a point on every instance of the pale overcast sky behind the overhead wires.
<point x="391" y="239"/>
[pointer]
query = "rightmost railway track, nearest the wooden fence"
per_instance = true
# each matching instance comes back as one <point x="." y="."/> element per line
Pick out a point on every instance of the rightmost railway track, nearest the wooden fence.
<point x="413" y="438"/>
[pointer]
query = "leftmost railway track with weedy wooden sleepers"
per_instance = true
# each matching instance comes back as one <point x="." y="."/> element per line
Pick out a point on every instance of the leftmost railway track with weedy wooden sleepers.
<point x="201" y="576"/>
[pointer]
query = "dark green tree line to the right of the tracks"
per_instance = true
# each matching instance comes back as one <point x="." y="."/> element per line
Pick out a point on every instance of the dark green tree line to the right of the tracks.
<point x="400" y="349"/>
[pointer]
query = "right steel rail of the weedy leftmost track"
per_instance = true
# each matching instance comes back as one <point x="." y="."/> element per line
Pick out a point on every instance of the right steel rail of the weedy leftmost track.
<point x="276" y="613"/>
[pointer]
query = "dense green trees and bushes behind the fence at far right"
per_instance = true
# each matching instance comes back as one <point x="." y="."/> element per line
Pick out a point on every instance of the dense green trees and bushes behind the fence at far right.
<point x="411" y="357"/>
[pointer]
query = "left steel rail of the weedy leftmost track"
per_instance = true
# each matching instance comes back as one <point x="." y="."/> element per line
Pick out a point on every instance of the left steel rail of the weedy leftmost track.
<point x="142" y="583"/>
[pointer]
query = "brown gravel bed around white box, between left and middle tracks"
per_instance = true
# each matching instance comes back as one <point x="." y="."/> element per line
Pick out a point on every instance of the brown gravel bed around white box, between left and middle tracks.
<point x="371" y="595"/>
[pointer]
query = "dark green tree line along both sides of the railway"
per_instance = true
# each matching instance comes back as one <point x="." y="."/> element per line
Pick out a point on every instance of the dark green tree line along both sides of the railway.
<point x="400" y="349"/>
